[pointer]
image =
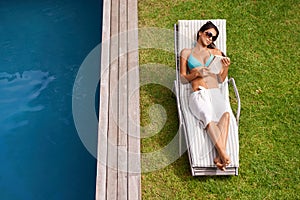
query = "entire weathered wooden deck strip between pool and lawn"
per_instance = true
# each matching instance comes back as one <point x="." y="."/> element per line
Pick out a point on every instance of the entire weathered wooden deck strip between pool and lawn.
<point x="118" y="166"/>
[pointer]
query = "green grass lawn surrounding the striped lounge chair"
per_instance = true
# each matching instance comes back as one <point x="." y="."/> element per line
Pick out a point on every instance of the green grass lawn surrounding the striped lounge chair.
<point x="263" y="44"/>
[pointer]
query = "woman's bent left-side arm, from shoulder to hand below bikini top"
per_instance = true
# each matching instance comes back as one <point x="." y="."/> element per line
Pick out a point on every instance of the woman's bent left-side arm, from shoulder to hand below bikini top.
<point x="186" y="77"/>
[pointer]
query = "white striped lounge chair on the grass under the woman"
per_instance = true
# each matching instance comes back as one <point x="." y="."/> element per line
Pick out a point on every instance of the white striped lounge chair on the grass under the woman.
<point x="193" y="136"/>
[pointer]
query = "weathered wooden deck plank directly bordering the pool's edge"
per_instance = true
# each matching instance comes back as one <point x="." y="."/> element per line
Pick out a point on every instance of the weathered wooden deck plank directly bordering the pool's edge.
<point x="103" y="105"/>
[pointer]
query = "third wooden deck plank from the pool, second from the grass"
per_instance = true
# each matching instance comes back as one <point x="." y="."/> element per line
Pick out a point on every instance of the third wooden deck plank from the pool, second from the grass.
<point x="122" y="136"/>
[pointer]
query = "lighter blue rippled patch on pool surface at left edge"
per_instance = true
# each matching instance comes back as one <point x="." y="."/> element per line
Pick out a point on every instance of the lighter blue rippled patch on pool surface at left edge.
<point x="18" y="92"/>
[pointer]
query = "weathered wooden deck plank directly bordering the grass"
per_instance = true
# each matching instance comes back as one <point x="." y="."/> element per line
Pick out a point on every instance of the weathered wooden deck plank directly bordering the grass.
<point x="134" y="165"/>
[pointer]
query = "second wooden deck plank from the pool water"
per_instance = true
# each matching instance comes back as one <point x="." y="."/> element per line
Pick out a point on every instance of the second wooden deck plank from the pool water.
<point x="112" y="173"/>
